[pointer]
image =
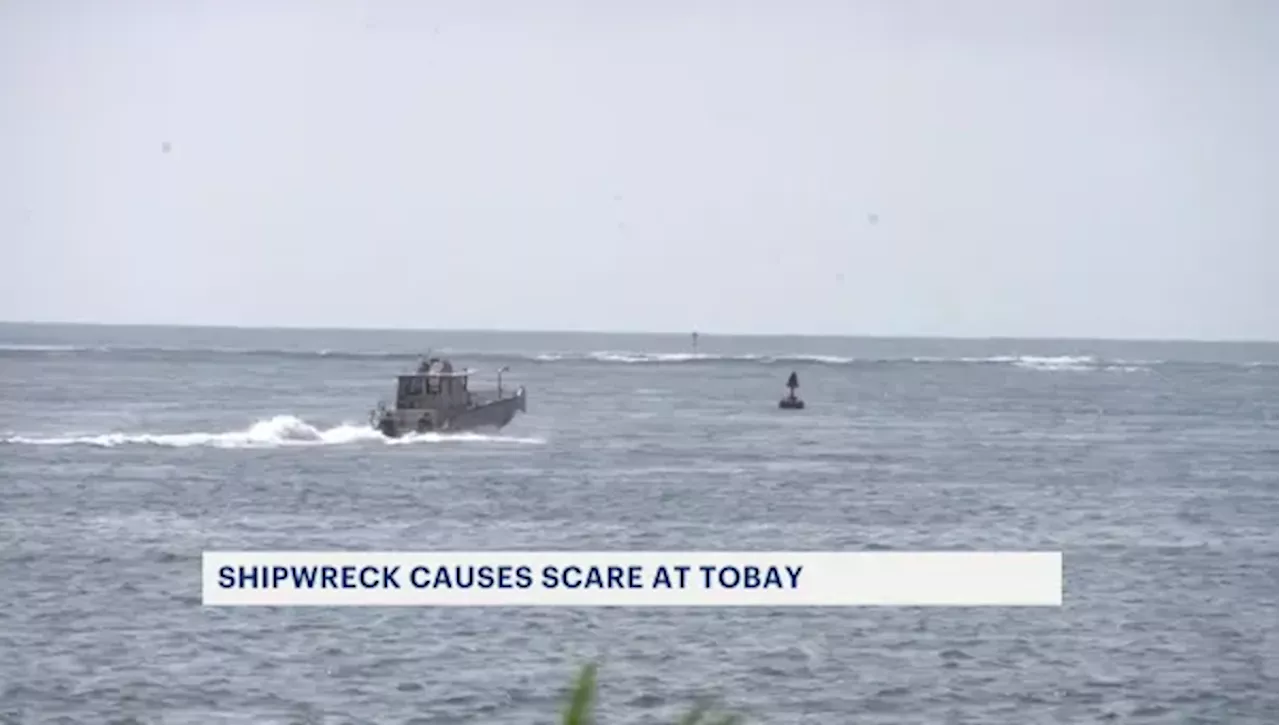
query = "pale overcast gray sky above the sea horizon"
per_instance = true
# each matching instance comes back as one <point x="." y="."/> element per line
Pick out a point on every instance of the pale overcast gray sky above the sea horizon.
<point x="1039" y="168"/>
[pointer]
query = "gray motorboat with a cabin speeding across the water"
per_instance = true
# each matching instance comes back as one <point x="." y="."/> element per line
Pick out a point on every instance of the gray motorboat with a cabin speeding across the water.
<point x="437" y="399"/>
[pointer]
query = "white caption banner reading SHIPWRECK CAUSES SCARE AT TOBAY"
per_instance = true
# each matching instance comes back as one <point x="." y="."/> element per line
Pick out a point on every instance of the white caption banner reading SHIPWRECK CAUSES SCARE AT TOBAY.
<point x="633" y="578"/>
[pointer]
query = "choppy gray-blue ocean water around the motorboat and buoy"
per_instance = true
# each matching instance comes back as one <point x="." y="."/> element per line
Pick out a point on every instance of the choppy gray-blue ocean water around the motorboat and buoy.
<point x="125" y="453"/>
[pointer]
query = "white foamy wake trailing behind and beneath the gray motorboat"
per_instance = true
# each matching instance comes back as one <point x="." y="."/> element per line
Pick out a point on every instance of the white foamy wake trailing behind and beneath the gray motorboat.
<point x="282" y="431"/>
